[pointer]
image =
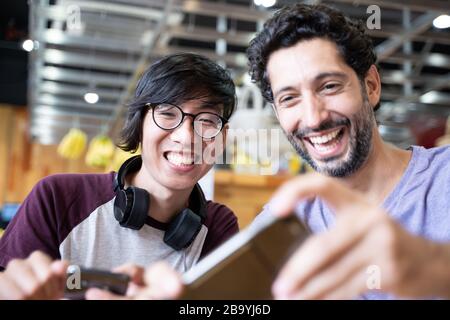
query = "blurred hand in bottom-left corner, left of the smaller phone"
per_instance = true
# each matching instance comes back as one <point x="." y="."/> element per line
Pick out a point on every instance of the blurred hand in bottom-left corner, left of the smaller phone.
<point x="34" y="278"/>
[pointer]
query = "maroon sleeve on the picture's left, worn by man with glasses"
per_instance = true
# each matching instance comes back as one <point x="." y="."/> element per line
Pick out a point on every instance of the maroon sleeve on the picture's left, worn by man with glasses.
<point x="55" y="205"/>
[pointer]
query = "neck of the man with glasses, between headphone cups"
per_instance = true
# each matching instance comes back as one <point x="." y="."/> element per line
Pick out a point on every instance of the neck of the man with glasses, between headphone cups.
<point x="164" y="203"/>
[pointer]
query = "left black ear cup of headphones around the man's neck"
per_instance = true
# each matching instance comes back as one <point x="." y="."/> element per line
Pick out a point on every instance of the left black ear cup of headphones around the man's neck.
<point x="137" y="205"/>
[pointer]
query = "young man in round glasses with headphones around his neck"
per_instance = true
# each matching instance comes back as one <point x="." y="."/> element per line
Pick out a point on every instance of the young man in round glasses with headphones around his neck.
<point x="152" y="209"/>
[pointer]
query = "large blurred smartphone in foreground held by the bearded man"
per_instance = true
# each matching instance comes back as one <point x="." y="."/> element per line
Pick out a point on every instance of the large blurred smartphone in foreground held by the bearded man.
<point x="245" y="266"/>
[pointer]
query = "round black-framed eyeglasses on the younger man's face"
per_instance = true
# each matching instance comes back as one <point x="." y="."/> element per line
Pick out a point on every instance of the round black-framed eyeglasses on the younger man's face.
<point x="168" y="116"/>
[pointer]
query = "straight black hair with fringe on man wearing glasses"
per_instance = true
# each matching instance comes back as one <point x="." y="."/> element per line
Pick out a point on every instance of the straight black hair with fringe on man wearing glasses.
<point x="177" y="79"/>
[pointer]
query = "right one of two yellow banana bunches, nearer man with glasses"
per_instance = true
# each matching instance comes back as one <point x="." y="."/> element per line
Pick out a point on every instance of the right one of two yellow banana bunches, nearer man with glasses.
<point x="100" y="152"/>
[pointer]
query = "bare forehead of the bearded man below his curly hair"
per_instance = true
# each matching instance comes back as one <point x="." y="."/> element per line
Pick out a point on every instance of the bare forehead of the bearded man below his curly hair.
<point x="304" y="61"/>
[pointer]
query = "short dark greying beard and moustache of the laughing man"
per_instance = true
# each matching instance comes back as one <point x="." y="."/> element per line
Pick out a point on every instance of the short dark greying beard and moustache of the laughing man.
<point x="360" y="141"/>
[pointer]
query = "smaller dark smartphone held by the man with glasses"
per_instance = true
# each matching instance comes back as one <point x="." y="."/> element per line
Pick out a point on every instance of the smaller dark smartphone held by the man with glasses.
<point x="80" y="279"/>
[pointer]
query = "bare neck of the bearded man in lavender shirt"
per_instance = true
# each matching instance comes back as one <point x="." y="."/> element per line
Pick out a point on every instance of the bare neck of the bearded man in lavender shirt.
<point x="381" y="172"/>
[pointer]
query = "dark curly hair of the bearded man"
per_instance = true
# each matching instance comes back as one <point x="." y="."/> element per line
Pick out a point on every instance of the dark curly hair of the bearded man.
<point x="294" y="23"/>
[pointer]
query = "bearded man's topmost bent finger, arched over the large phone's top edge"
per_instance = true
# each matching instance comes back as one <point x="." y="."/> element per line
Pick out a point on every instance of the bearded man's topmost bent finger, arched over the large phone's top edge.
<point x="339" y="197"/>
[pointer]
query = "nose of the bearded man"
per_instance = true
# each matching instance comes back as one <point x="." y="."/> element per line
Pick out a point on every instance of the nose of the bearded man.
<point x="314" y="110"/>
